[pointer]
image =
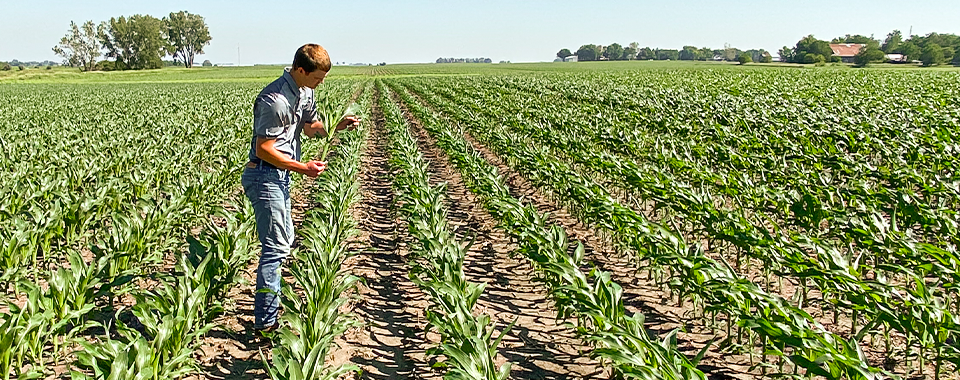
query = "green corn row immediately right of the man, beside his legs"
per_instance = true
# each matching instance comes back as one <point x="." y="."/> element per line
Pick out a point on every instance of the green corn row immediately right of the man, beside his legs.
<point x="312" y="316"/>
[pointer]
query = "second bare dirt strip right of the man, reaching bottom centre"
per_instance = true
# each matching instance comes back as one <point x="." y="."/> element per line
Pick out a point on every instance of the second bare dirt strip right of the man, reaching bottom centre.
<point x="539" y="346"/>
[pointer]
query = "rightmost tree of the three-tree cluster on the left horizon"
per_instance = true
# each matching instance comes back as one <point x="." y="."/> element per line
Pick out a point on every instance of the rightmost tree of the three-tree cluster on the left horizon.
<point x="186" y="36"/>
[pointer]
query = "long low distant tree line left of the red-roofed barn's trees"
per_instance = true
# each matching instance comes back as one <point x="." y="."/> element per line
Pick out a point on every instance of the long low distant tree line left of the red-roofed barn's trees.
<point x="633" y="51"/>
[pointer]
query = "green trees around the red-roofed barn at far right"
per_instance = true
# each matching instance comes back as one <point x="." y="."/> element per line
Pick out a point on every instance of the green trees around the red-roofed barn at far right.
<point x="931" y="50"/>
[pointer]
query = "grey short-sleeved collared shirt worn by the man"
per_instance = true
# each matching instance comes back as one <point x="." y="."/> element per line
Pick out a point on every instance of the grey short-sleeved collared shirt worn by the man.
<point x="280" y="112"/>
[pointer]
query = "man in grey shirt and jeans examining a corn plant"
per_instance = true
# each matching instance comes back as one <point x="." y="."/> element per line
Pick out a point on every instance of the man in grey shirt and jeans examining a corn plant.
<point x="282" y="111"/>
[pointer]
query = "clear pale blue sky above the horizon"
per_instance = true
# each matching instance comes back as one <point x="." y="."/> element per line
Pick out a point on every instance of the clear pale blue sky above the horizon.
<point x="519" y="31"/>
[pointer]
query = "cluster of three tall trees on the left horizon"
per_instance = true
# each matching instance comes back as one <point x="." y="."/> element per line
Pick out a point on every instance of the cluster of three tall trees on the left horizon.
<point x="134" y="43"/>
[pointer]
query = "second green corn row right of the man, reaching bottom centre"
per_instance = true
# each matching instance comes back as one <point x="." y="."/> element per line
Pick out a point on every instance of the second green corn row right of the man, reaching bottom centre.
<point x="467" y="341"/>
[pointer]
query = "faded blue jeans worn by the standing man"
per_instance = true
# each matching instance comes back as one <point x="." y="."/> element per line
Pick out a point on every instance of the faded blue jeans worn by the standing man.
<point x="269" y="191"/>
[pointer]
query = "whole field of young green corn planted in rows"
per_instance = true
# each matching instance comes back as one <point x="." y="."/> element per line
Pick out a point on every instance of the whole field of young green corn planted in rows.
<point x="677" y="224"/>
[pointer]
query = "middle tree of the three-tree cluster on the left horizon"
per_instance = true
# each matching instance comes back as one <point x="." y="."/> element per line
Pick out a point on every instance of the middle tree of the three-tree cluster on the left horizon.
<point x="134" y="43"/>
